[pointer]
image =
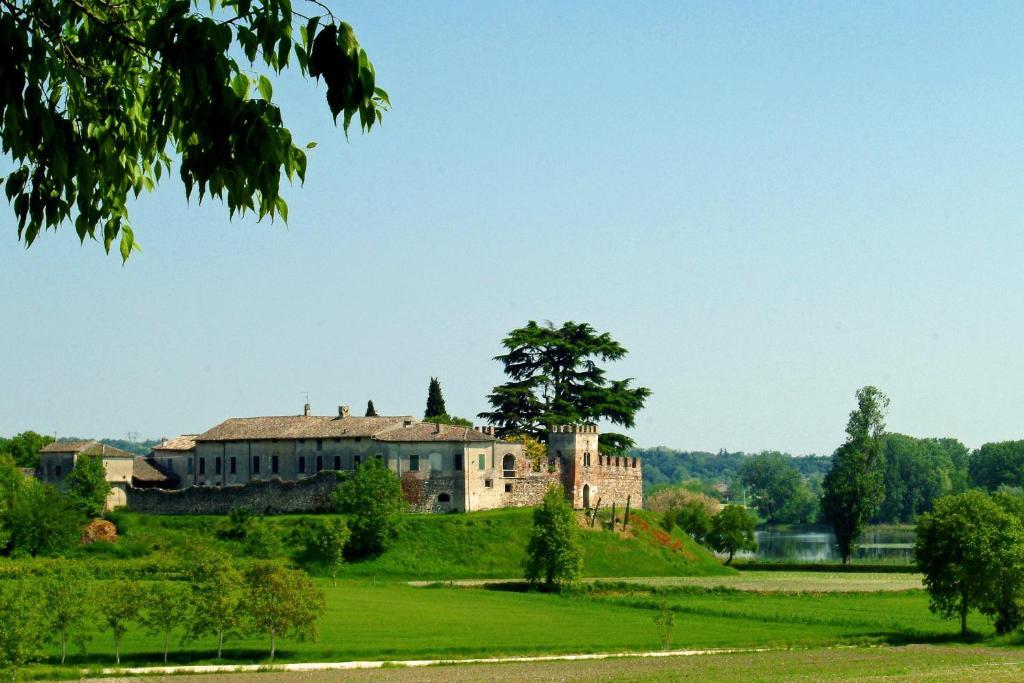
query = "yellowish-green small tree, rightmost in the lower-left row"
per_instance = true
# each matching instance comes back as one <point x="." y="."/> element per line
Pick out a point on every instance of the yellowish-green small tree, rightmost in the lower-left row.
<point x="281" y="603"/>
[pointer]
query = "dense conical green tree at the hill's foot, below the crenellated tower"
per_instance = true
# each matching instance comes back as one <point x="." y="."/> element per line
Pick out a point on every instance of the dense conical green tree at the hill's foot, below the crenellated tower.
<point x="556" y="552"/>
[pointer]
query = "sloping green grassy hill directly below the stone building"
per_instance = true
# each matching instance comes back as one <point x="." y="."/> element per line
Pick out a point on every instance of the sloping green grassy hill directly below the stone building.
<point x="478" y="545"/>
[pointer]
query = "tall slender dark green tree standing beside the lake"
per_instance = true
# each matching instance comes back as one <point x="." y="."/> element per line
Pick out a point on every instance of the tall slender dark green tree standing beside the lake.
<point x="855" y="487"/>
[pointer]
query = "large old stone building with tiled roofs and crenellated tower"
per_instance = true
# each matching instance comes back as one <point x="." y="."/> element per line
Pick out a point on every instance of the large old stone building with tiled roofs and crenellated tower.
<point x="275" y="464"/>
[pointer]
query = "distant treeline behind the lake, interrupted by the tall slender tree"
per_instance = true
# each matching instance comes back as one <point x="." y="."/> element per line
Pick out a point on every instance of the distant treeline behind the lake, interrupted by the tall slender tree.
<point x="917" y="473"/>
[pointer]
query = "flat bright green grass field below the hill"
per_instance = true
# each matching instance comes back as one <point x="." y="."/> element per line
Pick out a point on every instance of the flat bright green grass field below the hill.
<point x="390" y="621"/>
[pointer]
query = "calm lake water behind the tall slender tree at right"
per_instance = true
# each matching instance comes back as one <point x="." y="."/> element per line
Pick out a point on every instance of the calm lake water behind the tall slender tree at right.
<point x="819" y="545"/>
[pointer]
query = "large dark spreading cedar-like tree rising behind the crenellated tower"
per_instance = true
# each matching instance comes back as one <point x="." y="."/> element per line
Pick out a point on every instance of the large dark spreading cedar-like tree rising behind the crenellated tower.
<point x="554" y="379"/>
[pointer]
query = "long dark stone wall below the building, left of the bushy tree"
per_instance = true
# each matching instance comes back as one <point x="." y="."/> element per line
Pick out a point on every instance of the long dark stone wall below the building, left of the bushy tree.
<point x="271" y="497"/>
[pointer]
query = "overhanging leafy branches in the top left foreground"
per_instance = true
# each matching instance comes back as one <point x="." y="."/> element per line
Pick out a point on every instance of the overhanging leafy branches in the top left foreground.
<point x="185" y="86"/>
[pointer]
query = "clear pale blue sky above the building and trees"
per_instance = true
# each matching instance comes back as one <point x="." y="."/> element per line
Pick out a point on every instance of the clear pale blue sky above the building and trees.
<point x="770" y="204"/>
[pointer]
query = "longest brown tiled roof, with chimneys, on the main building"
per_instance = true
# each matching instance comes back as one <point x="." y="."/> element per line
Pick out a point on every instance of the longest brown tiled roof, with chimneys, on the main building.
<point x="300" y="426"/>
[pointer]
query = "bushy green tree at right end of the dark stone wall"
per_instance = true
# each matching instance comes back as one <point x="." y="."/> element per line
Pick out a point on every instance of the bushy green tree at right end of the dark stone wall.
<point x="372" y="499"/>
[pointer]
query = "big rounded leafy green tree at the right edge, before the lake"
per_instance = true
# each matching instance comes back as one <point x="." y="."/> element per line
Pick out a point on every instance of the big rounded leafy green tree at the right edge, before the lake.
<point x="972" y="554"/>
